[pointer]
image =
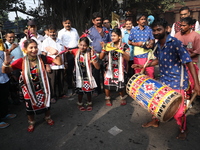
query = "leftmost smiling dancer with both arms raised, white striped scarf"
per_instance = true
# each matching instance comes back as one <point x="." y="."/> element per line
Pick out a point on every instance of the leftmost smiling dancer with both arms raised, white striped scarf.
<point x="33" y="80"/>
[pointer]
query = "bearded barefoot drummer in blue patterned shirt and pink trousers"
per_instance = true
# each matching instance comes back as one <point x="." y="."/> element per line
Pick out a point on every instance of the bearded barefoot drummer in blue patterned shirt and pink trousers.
<point x="171" y="55"/>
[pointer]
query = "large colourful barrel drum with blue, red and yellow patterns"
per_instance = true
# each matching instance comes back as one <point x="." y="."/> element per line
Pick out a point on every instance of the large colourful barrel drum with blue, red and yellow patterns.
<point x="159" y="99"/>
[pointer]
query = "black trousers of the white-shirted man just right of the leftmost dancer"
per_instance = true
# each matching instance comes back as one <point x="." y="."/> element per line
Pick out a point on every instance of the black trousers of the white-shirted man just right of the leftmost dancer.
<point x="56" y="78"/>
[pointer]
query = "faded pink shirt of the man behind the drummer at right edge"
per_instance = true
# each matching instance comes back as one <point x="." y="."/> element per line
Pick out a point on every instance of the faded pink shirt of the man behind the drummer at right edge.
<point x="191" y="42"/>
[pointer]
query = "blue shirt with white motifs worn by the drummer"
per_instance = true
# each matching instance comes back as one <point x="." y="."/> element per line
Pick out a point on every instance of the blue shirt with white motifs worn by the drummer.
<point x="171" y="56"/>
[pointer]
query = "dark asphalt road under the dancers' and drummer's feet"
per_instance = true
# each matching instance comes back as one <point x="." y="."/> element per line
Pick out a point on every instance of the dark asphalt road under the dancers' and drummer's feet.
<point x="75" y="130"/>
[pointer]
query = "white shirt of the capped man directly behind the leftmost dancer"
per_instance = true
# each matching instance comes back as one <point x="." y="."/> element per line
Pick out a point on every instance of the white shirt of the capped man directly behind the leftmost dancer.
<point x="39" y="39"/>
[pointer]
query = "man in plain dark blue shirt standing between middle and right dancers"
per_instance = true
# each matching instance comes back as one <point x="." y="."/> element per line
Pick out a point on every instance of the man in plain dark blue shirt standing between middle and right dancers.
<point x="97" y="34"/>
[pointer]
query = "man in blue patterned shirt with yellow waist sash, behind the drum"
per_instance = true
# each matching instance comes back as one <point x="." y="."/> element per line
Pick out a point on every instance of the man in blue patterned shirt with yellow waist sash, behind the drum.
<point x="138" y="37"/>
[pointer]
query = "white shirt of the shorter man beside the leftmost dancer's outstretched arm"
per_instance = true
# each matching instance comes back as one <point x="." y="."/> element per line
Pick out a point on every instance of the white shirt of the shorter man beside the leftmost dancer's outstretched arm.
<point x="56" y="45"/>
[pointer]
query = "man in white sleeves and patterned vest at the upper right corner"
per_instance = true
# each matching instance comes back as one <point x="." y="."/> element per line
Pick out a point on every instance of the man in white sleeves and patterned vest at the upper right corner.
<point x="184" y="12"/>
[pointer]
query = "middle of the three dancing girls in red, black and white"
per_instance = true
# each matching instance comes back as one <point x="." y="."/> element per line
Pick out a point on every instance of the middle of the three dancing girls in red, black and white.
<point x="85" y="82"/>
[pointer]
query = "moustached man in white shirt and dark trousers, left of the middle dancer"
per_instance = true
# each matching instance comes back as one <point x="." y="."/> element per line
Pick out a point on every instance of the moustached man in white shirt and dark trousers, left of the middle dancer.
<point x="69" y="37"/>
